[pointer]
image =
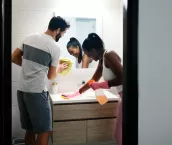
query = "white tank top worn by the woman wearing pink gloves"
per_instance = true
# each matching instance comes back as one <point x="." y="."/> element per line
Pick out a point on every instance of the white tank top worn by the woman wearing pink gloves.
<point x="109" y="75"/>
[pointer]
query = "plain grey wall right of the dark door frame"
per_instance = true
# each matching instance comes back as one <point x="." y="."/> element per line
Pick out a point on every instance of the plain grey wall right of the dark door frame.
<point x="155" y="72"/>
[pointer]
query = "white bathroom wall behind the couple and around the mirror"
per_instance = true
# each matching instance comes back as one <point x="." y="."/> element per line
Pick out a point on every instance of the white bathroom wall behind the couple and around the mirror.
<point x="29" y="16"/>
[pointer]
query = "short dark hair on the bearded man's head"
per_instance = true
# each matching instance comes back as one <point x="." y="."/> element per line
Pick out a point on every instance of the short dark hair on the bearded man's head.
<point x="58" y="22"/>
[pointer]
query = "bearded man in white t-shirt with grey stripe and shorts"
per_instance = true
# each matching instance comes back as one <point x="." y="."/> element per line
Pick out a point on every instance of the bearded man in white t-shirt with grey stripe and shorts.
<point x="38" y="56"/>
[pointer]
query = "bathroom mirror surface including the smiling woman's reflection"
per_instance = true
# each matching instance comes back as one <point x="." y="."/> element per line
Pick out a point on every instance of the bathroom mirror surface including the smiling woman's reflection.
<point x="71" y="44"/>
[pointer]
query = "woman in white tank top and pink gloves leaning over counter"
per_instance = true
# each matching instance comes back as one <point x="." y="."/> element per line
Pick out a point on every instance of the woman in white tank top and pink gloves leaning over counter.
<point x="110" y="68"/>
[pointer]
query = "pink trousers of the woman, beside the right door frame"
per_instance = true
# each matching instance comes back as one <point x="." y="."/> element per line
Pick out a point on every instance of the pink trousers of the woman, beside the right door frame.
<point x="118" y="128"/>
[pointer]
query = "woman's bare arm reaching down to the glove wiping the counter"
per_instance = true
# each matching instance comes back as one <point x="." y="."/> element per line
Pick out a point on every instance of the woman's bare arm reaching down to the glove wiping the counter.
<point x="97" y="75"/>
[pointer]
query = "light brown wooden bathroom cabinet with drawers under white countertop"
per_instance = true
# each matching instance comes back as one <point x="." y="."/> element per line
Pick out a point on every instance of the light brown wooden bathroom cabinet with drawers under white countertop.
<point x="83" y="122"/>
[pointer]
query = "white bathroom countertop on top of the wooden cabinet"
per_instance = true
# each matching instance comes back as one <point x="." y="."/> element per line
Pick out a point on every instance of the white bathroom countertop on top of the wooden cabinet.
<point x="88" y="96"/>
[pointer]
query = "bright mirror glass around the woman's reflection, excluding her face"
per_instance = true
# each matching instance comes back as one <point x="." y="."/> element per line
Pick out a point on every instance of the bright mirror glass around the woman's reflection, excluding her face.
<point x="80" y="28"/>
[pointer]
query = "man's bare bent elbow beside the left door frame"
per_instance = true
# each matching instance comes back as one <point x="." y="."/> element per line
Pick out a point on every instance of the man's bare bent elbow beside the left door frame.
<point x="17" y="56"/>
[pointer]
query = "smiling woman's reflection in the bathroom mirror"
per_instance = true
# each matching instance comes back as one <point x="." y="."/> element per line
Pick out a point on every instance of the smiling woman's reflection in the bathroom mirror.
<point x="74" y="48"/>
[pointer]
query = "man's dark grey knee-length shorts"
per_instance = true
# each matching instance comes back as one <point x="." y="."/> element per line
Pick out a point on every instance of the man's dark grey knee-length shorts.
<point x="35" y="111"/>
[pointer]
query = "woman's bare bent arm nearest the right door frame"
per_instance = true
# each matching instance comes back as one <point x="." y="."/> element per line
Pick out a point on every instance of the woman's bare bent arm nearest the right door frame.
<point x="113" y="62"/>
